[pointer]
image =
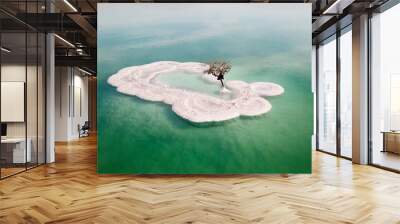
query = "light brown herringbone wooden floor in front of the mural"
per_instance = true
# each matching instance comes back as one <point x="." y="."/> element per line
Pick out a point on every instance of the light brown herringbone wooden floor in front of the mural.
<point x="70" y="191"/>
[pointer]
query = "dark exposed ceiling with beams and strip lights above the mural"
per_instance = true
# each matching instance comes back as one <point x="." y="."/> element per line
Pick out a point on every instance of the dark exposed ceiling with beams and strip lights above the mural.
<point x="75" y="21"/>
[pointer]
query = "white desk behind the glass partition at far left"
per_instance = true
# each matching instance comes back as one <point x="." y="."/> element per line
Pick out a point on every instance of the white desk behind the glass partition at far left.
<point x="16" y="148"/>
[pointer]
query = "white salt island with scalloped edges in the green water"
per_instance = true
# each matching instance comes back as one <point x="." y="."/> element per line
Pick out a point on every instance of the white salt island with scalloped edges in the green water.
<point x="247" y="98"/>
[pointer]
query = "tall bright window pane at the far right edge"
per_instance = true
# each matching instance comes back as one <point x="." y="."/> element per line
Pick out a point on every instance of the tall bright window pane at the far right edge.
<point x="386" y="89"/>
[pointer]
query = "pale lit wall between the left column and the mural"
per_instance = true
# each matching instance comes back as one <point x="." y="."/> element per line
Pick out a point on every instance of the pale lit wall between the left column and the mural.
<point x="71" y="102"/>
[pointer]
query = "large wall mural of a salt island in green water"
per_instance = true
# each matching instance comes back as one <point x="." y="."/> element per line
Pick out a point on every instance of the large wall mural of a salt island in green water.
<point x="204" y="88"/>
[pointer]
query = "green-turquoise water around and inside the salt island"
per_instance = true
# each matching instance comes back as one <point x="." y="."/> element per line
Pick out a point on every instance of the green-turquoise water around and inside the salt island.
<point x="137" y="136"/>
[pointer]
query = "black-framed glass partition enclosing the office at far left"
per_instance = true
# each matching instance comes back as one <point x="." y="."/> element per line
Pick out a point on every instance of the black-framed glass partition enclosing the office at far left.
<point x="22" y="77"/>
